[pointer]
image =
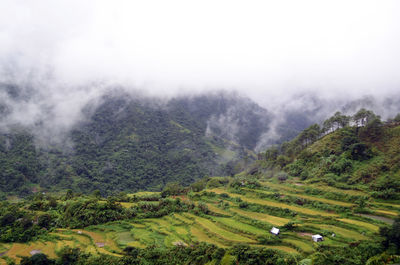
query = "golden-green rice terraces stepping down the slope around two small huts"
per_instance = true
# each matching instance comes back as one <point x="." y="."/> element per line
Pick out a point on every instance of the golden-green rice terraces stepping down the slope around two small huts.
<point x="223" y="216"/>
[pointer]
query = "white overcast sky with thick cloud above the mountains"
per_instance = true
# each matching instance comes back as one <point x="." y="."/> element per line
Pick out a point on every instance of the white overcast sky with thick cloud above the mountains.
<point x="263" y="48"/>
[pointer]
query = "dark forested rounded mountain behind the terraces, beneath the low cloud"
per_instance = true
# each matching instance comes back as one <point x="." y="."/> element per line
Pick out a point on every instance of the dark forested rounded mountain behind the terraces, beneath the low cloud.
<point x="134" y="143"/>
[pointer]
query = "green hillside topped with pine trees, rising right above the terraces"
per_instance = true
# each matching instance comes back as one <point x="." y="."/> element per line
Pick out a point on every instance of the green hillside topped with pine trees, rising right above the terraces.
<point x="359" y="150"/>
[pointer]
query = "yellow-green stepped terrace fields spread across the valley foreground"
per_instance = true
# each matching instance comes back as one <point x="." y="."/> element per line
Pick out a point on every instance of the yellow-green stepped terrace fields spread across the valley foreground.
<point x="223" y="226"/>
